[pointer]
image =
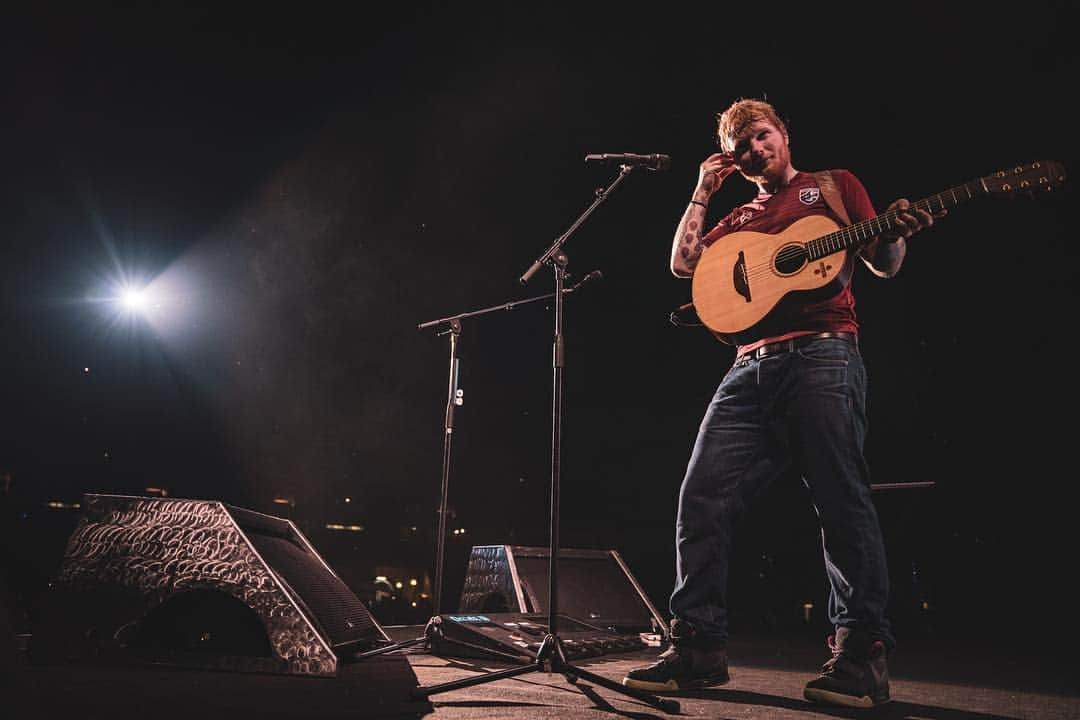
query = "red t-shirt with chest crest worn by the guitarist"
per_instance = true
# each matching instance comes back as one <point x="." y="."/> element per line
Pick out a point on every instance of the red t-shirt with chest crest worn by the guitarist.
<point x="773" y="214"/>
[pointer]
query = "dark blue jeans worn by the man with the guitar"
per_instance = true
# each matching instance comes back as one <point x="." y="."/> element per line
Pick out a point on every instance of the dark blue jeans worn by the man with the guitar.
<point x="803" y="411"/>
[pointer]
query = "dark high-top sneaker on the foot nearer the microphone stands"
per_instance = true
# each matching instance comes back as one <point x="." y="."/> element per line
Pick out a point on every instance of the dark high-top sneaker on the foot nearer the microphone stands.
<point x="682" y="668"/>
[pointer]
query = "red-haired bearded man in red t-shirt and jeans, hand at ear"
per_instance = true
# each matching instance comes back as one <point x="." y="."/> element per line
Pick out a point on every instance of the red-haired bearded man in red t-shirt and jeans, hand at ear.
<point x="794" y="400"/>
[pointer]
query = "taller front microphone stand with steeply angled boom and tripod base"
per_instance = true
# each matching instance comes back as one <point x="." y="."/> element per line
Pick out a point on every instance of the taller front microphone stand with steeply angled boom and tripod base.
<point x="551" y="657"/>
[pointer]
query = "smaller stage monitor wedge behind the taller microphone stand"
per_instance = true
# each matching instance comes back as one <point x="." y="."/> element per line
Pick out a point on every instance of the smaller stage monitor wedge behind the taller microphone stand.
<point x="595" y="587"/>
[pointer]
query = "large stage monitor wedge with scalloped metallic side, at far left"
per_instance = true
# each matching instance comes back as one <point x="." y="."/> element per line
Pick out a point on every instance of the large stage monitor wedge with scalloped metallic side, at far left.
<point x="199" y="583"/>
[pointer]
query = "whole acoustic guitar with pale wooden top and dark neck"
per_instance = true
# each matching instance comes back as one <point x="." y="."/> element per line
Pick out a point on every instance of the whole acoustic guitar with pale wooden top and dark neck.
<point x="741" y="278"/>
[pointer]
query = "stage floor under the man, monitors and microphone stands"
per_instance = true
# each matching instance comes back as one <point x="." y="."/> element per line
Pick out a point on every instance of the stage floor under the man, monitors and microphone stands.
<point x="767" y="682"/>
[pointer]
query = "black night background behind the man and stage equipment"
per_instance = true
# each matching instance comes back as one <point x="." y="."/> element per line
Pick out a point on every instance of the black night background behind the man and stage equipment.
<point x="310" y="184"/>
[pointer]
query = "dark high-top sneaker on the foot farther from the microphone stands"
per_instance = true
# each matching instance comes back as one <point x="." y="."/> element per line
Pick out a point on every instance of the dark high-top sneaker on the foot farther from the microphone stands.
<point x="856" y="676"/>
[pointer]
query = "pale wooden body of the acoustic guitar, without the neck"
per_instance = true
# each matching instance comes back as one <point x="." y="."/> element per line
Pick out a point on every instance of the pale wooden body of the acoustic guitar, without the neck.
<point x="745" y="275"/>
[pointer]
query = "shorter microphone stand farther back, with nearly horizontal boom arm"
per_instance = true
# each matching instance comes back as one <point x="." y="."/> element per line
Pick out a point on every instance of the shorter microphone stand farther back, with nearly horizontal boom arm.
<point x="455" y="398"/>
